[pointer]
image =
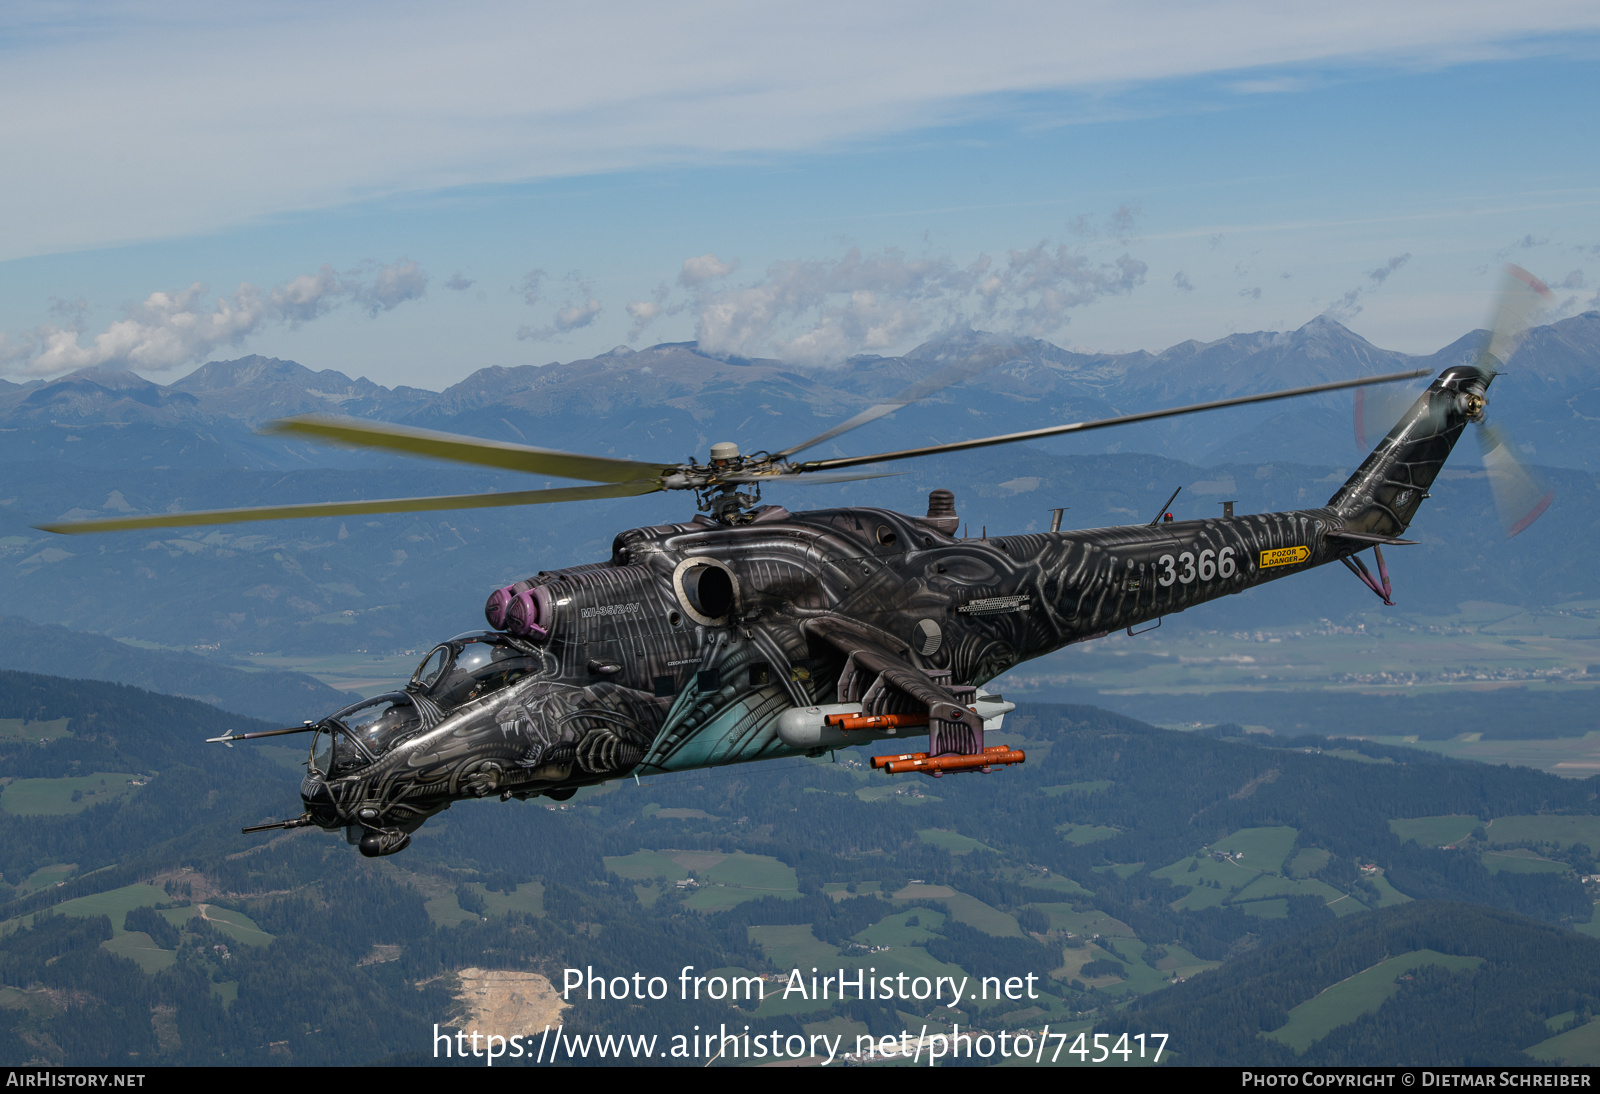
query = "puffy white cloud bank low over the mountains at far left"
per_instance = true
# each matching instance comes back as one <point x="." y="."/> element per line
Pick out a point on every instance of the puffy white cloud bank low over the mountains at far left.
<point x="174" y="329"/>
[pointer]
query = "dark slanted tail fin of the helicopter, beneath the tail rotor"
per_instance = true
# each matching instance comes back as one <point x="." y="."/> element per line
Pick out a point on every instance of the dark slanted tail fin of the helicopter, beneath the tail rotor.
<point x="1386" y="490"/>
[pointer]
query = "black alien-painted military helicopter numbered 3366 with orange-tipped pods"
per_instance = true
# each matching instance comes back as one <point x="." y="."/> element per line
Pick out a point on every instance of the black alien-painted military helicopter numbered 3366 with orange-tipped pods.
<point x="753" y="633"/>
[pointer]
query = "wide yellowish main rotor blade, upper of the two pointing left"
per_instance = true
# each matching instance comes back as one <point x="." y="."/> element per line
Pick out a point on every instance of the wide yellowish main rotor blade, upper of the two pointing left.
<point x="468" y="450"/>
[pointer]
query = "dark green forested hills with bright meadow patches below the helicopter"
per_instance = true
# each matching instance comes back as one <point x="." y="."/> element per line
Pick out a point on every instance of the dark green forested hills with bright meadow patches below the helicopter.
<point x="1119" y="864"/>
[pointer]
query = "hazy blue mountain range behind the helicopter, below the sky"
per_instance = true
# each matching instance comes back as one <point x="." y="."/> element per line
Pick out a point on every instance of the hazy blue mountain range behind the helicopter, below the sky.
<point x="106" y="444"/>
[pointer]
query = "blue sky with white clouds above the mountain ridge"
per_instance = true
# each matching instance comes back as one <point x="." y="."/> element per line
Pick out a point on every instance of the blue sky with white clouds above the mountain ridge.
<point x="410" y="194"/>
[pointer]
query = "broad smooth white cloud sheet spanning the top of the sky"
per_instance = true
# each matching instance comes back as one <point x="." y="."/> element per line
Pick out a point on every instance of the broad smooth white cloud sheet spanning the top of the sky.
<point x="164" y="121"/>
